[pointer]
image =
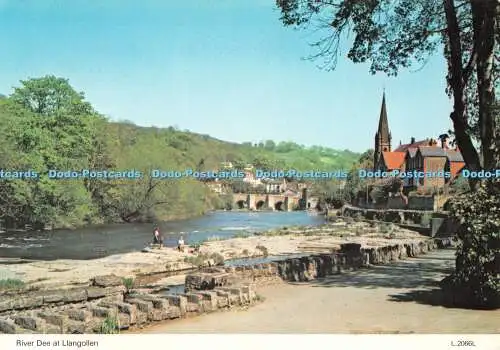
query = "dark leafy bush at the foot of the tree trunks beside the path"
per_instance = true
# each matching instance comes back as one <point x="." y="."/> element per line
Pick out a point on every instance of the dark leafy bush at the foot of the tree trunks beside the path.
<point x="475" y="281"/>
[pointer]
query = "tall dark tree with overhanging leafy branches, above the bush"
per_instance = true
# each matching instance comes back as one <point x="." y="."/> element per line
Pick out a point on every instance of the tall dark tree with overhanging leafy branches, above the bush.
<point x="400" y="33"/>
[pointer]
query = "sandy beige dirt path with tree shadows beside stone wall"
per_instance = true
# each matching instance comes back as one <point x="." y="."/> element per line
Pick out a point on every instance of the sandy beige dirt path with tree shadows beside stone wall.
<point x="396" y="298"/>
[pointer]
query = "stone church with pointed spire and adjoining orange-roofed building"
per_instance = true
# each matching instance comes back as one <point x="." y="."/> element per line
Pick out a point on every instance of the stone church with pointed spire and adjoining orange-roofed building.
<point x="424" y="155"/>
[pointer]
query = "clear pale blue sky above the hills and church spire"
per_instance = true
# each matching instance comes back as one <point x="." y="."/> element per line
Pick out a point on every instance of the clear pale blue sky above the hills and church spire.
<point x="227" y="68"/>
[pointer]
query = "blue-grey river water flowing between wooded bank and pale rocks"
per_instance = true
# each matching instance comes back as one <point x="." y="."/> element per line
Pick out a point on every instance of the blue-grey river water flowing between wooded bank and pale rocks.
<point x="100" y="241"/>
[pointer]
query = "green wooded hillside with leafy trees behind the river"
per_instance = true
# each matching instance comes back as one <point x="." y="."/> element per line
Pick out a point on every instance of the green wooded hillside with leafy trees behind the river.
<point x="45" y="124"/>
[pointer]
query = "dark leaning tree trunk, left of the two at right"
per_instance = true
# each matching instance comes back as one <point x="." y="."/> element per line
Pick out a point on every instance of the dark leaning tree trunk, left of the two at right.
<point x="457" y="83"/>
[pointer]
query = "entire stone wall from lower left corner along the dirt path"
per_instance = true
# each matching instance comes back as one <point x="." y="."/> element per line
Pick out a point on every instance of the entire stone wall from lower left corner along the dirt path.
<point x="84" y="309"/>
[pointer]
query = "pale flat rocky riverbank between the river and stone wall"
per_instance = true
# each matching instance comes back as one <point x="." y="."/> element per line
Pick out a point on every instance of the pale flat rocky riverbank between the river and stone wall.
<point x="286" y="241"/>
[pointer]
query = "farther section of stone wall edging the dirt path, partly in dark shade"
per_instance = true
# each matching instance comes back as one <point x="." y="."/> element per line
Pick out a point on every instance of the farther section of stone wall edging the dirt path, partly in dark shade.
<point x="351" y="257"/>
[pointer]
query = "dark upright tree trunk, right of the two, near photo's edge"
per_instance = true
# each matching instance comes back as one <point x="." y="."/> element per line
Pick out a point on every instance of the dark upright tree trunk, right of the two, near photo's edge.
<point x="484" y="14"/>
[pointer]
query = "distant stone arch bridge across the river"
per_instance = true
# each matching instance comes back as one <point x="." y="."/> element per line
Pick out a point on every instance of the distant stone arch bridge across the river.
<point x="280" y="202"/>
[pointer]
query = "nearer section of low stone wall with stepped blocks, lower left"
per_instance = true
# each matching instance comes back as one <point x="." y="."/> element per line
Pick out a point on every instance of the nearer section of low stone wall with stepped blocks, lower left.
<point x="86" y="309"/>
